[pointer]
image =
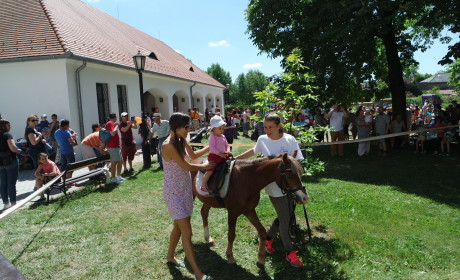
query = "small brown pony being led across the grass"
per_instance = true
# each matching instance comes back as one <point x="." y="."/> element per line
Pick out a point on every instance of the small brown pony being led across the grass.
<point x="249" y="177"/>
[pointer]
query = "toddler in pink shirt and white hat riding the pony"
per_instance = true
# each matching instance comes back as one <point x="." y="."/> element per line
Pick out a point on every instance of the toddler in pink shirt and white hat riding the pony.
<point x="218" y="148"/>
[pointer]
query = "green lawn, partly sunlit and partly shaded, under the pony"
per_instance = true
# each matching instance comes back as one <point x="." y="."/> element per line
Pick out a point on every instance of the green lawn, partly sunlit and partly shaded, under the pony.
<point x="394" y="217"/>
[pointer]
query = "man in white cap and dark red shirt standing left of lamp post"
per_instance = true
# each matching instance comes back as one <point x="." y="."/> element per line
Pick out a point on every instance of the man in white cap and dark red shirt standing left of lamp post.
<point x="128" y="144"/>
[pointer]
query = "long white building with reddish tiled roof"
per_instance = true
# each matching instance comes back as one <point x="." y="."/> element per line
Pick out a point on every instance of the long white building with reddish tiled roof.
<point x="68" y="58"/>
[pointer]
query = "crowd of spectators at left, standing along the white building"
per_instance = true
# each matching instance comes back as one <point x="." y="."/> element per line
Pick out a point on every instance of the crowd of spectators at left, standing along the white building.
<point x="48" y="147"/>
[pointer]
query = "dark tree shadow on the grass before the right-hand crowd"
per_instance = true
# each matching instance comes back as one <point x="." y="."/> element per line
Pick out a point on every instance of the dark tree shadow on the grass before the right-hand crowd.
<point x="431" y="176"/>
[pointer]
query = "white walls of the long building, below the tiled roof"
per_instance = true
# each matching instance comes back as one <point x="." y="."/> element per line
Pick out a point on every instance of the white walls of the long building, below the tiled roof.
<point x="49" y="86"/>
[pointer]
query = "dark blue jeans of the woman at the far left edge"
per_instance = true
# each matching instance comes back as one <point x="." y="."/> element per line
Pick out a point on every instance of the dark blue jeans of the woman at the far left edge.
<point x="8" y="177"/>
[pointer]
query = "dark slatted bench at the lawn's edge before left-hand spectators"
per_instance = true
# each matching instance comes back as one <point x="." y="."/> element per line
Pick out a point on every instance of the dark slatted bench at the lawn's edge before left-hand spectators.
<point x="98" y="174"/>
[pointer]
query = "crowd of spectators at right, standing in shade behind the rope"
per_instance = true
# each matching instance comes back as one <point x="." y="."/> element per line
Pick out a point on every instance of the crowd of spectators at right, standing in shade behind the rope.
<point x="361" y="122"/>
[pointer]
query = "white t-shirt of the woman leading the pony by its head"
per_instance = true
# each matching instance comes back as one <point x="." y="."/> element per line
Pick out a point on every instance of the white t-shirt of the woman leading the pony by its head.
<point x="268" y="147"/>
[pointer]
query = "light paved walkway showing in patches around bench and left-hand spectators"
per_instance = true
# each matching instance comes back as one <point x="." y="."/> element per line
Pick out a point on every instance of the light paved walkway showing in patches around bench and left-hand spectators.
<point x="26" y="180"/>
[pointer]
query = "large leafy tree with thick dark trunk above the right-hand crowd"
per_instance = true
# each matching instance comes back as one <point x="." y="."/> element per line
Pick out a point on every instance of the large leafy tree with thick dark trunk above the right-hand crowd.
<point x="347" y="42"/>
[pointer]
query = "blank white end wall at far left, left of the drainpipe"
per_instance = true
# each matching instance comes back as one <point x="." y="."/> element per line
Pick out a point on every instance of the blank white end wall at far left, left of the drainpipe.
<point x="33" y="87"/>
